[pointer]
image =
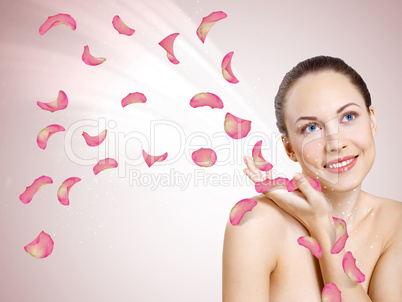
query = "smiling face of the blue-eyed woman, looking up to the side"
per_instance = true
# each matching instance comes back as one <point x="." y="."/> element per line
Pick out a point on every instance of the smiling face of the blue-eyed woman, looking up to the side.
<point x="330" y="132"/>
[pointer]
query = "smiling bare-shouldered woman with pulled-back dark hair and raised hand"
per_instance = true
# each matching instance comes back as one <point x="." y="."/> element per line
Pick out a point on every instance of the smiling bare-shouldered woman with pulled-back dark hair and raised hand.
<point x="328" y="124"/>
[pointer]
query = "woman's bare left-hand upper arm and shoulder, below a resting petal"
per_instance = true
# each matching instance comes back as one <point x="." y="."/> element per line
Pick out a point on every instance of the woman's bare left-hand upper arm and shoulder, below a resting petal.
<point x="249" y="256"/>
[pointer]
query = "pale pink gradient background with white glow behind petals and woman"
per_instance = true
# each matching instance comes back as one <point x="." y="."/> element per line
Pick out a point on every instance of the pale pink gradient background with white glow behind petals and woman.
<point x="122" y="242"/>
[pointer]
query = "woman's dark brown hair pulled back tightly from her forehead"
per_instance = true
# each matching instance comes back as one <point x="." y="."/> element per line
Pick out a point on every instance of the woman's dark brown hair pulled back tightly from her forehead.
<point x="311" y="66"/>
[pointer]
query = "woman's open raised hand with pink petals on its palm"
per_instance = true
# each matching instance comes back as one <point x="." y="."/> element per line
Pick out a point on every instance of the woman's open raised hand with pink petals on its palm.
<point x="309" y="206"/>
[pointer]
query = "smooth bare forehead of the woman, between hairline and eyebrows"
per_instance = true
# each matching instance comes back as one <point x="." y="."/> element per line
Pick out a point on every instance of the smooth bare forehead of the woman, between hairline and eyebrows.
<point x="321" y="95"/>
